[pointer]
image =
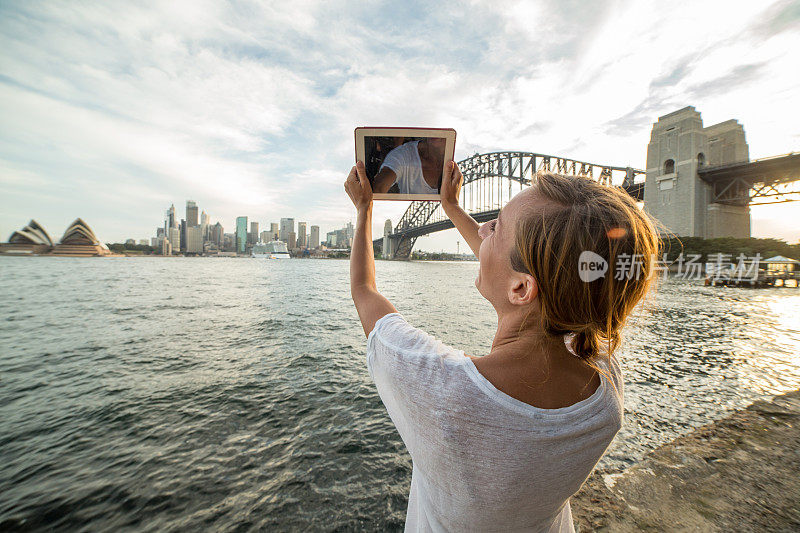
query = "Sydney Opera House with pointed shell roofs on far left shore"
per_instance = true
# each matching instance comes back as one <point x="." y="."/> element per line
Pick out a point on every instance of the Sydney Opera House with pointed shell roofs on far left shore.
<point x="78" y="241"/>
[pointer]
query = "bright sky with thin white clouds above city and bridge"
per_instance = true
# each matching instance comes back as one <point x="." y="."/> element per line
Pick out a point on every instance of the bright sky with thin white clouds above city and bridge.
<point x="113" y="111"/>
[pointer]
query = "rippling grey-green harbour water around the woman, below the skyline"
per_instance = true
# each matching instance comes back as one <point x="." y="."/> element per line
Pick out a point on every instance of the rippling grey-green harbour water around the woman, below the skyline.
<point x="232" y="394"/>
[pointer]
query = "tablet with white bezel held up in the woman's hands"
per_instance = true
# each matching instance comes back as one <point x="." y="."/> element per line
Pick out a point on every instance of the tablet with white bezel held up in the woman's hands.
<point x="405" y="163"/>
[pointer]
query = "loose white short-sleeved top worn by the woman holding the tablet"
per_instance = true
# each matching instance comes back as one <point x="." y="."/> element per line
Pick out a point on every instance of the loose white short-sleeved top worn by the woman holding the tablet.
<point x="482" y="460"/>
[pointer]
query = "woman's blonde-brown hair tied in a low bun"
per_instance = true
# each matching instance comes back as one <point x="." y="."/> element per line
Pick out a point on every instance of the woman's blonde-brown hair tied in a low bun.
<point x="579" y="215"/>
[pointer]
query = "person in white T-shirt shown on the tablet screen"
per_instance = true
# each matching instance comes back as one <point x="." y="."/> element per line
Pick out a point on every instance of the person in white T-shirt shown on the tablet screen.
<point x="415" y="166"/>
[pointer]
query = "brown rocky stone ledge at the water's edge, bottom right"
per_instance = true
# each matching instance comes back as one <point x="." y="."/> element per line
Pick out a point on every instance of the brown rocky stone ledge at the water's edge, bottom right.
<point x="741" y="473"/>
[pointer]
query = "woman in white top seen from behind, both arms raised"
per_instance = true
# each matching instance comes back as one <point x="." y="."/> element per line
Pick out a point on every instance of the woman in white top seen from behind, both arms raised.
<point x="500" y="442"/>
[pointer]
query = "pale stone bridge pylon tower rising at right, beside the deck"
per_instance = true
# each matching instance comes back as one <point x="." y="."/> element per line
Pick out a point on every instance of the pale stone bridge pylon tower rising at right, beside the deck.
<point x="673" y="192"/>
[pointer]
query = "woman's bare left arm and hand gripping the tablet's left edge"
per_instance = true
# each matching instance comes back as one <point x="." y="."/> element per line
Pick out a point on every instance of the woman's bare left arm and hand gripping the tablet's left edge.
<point x="370" y="304"/>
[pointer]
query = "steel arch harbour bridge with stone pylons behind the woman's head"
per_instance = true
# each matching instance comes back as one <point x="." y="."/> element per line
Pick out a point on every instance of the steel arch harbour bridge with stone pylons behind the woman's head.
<point x="726" y="189"/>
